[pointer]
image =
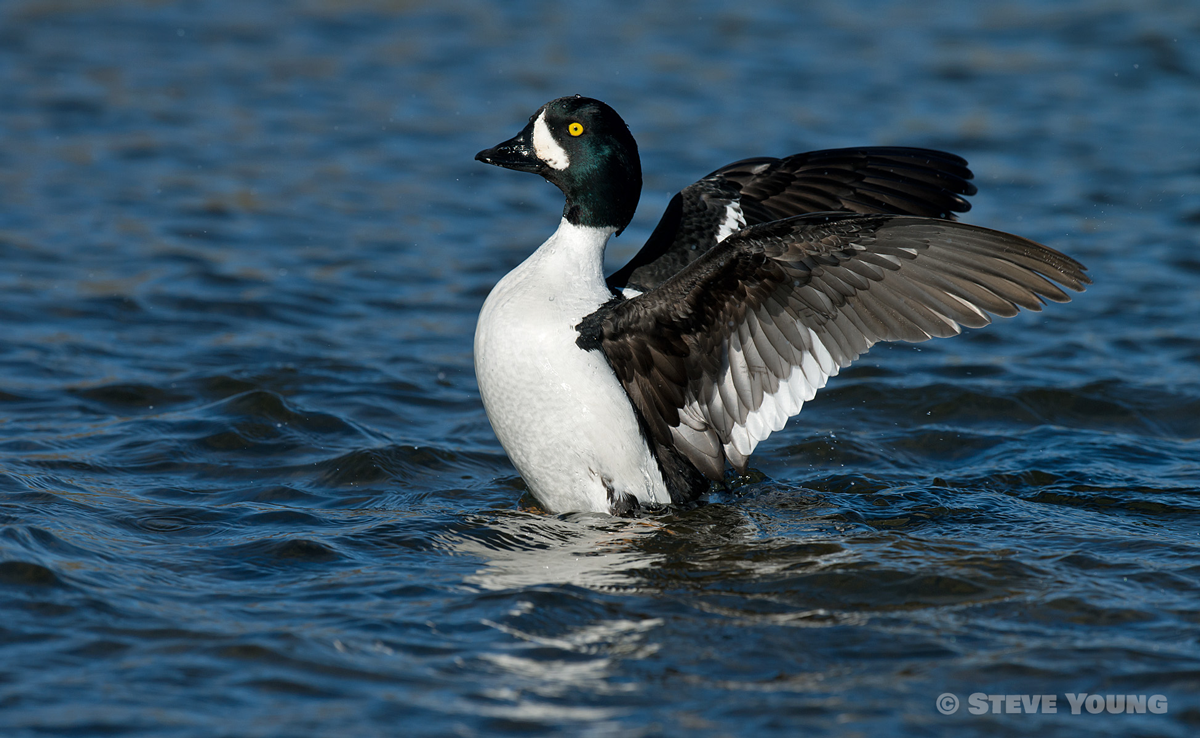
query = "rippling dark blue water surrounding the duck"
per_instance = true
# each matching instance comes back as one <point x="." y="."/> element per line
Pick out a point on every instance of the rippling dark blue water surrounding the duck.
<point x="248" y="487"/>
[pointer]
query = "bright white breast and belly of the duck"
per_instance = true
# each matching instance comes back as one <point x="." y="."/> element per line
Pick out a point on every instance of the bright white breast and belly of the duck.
<point x="559" y="411"/>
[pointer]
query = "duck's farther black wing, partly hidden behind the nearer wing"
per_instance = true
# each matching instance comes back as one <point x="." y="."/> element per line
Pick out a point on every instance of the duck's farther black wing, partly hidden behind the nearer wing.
<point x="878" y="179"/>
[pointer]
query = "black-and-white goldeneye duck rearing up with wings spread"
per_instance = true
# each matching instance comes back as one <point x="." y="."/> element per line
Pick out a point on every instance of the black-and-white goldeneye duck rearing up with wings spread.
<point x="761" y="281"/>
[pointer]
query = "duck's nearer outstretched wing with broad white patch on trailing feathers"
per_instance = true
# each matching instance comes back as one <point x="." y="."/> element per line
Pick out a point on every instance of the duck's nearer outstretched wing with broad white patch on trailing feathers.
<point x="721" y="356"/>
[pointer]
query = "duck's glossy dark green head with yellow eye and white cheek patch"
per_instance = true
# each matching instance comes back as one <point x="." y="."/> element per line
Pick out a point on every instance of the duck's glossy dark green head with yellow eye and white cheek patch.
<point x="587" y="152"/>
